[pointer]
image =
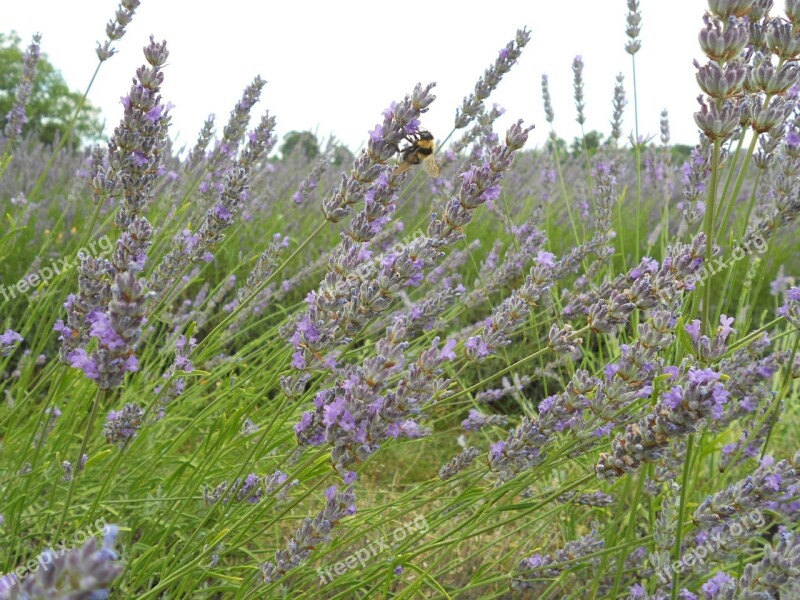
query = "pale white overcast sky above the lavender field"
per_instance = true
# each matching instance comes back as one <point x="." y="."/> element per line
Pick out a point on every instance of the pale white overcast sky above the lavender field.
<point x="333" y="67"/>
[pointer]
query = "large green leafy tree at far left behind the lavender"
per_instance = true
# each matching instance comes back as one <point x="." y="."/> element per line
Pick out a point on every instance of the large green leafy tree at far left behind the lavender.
<point x="52" y="103"/>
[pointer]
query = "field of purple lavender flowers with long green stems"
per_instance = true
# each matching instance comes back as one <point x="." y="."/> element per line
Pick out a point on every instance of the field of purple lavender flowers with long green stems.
<point x="241" y="369"/>
